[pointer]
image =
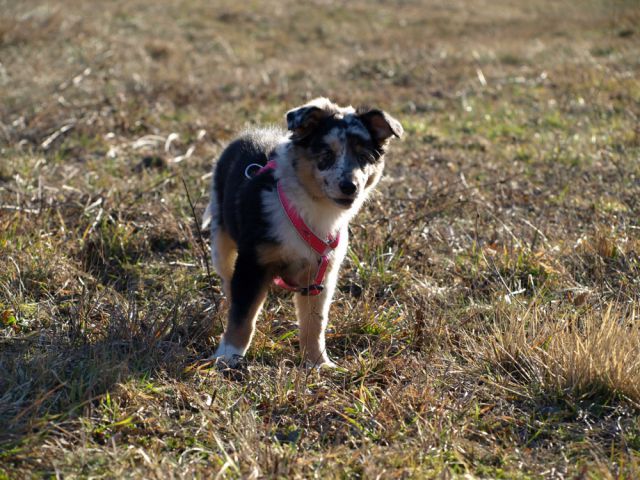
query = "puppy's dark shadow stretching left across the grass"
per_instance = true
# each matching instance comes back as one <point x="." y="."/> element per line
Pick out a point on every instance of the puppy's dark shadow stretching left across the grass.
<point x="49" y="378"/>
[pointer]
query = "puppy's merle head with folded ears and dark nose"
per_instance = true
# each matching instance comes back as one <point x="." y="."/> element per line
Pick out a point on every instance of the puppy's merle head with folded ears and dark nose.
<point x="339" y="151"/>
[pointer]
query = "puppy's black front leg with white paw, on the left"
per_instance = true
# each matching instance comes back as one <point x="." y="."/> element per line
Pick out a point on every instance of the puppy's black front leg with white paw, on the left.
<point x="249" y="285"/>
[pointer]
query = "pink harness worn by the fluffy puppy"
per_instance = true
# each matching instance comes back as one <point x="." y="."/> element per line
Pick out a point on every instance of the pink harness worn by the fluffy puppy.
<point x="321" y="247"/>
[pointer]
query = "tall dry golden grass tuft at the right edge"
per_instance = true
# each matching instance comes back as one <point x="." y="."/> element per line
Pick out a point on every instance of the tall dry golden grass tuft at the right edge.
<point x="586" y="355"/>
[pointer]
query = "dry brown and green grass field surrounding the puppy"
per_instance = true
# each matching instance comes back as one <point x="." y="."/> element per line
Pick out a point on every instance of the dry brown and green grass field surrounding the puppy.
<point x="487" y="322"/>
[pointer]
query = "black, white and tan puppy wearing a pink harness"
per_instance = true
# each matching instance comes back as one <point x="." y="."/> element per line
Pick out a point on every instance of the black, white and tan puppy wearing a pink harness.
<point x="279" y="210"/>
